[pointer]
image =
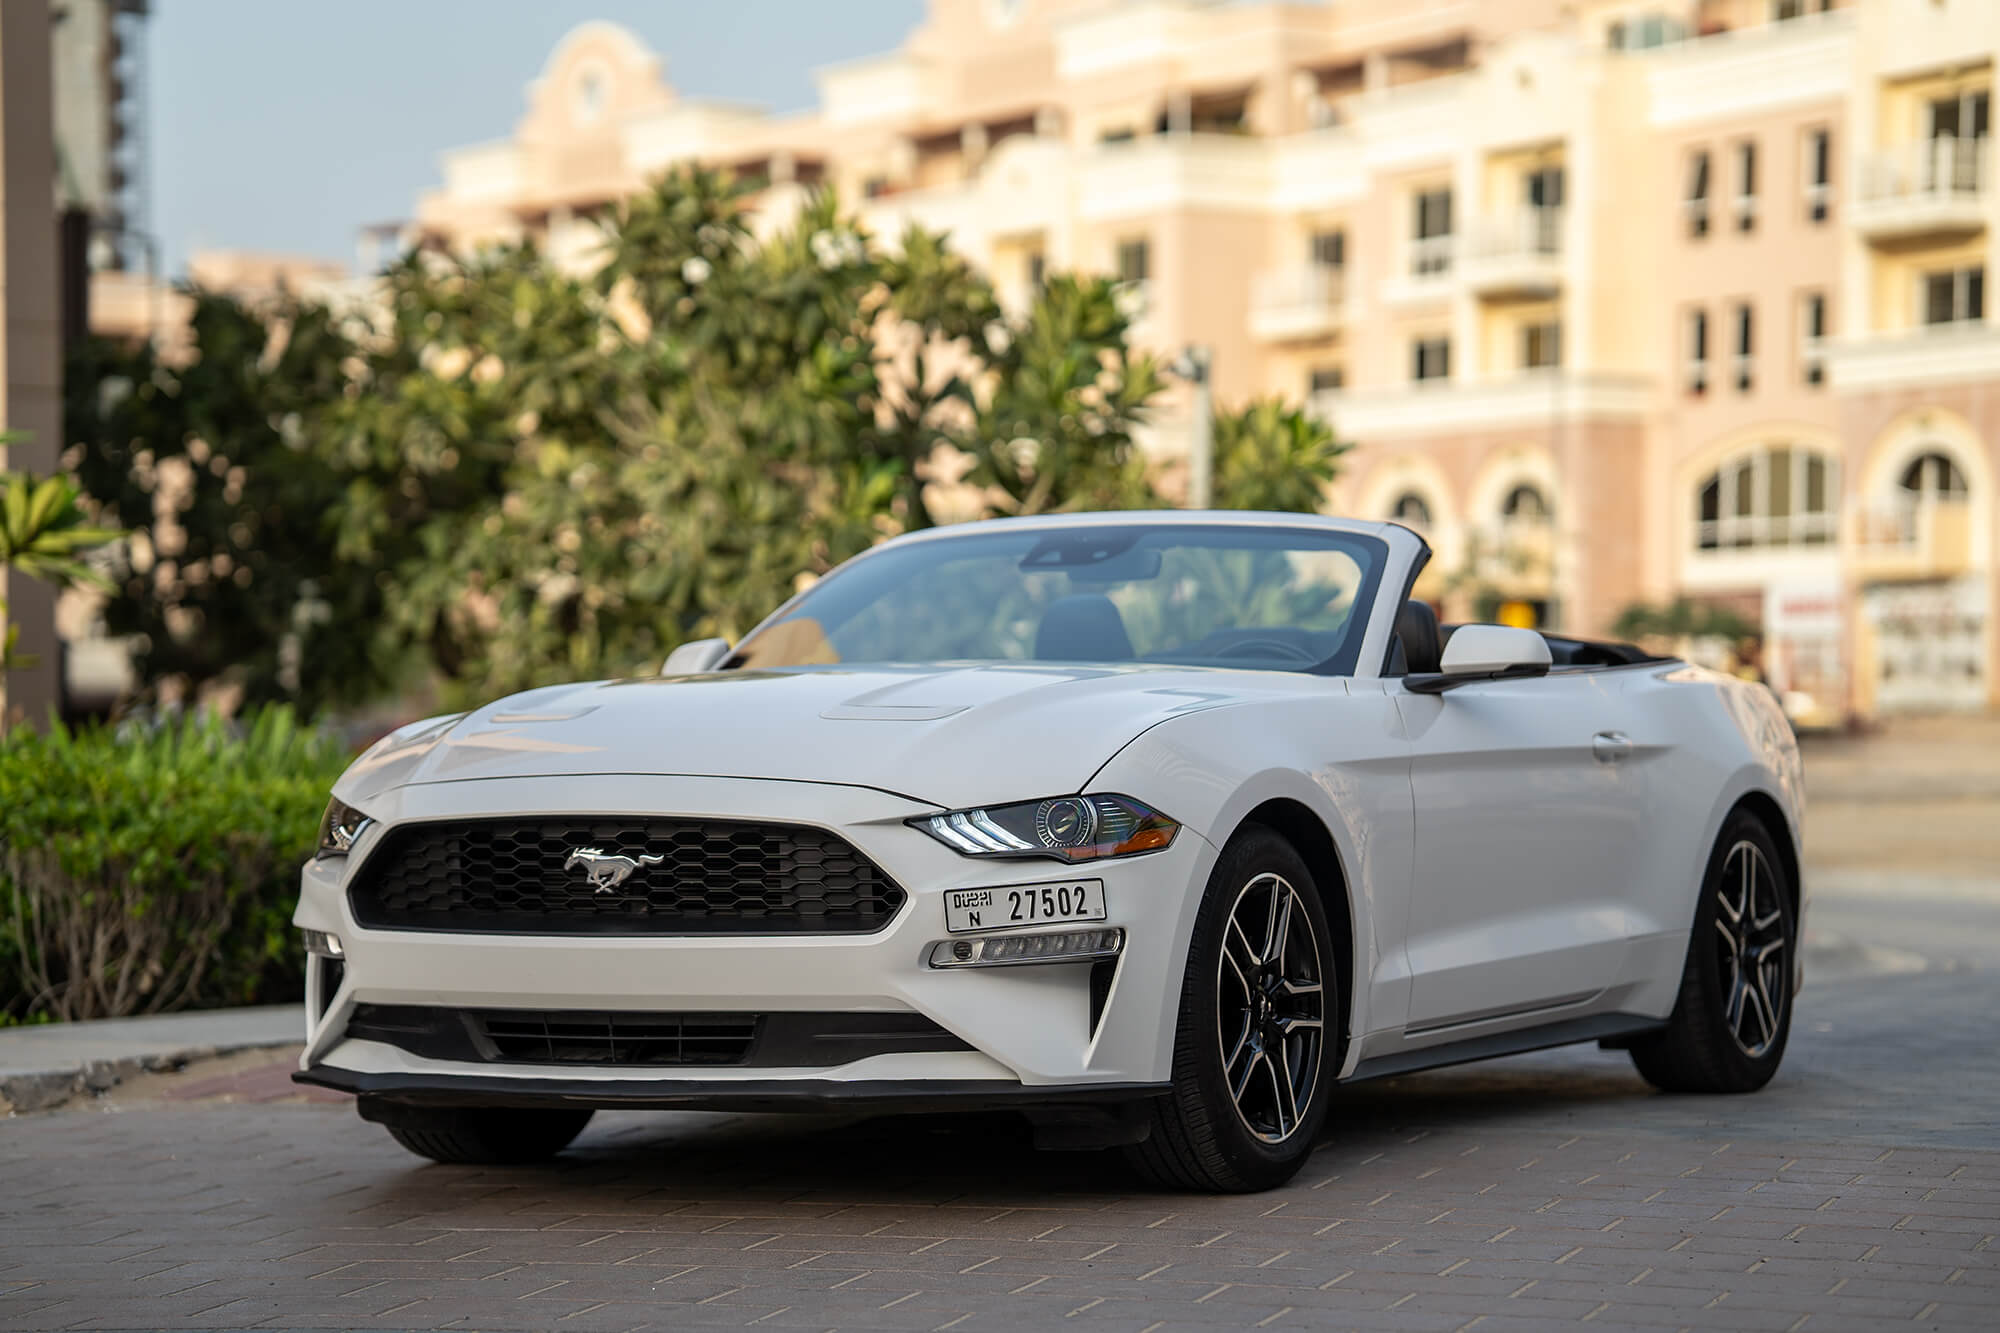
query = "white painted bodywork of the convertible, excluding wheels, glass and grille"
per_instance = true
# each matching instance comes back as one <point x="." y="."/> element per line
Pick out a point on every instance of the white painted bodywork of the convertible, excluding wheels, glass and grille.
<point x="1497" y="866"/>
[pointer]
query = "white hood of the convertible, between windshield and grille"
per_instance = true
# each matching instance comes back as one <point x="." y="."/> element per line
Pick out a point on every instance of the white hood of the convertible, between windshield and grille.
<point x="955" y="736"/>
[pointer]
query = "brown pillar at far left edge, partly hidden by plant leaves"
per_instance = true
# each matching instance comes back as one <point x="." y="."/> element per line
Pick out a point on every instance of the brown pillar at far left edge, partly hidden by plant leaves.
<point x="31" y="323"/>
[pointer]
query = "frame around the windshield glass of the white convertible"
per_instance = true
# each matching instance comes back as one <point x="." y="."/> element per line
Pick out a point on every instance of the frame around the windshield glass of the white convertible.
<point x="1379" y="543"/>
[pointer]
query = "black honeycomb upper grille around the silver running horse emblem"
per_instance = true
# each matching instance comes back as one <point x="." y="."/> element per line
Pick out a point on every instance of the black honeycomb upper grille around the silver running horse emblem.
<point x="527" y="878"/>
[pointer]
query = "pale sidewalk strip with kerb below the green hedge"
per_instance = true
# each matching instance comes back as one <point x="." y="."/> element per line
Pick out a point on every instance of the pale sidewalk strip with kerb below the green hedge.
<point x="47" y="1066"/>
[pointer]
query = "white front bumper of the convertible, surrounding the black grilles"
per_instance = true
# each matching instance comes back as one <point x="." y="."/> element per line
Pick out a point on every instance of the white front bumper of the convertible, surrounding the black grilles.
<point x="1029" y="1030"/>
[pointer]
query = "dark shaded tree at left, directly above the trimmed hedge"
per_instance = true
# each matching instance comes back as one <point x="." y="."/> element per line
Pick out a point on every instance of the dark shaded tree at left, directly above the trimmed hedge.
<point x="215" y="471"/>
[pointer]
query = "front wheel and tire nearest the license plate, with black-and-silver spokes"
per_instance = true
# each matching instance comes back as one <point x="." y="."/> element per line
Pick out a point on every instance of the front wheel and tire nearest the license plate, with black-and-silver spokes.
<point x="1201" y="1136"/>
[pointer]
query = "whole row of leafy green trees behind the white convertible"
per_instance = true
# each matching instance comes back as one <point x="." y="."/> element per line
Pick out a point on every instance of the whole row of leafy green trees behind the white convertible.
<point x="531" y="471"/>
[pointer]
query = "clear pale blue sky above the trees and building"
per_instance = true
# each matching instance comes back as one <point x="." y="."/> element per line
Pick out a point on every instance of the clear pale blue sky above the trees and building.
<point x="281" y="125"/>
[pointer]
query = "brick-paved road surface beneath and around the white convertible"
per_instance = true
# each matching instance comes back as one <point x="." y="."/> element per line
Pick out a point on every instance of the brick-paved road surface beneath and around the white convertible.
<point x="1861" y="1190"/>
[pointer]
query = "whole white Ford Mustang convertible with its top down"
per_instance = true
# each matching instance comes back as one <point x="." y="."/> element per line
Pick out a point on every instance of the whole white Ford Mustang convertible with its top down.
<point x="1155" y="828"/>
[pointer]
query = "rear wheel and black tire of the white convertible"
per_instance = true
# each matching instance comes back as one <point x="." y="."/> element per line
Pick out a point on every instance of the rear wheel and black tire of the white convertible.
<point x="1735" y="1010"/>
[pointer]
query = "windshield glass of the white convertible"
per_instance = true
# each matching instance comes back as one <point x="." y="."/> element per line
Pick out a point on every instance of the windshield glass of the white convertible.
<point x="1275" y="599"/>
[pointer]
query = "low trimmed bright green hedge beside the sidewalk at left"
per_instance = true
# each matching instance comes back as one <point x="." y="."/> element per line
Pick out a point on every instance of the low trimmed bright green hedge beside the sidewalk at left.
<point x="155" y="868"/>
